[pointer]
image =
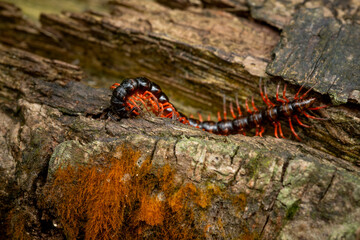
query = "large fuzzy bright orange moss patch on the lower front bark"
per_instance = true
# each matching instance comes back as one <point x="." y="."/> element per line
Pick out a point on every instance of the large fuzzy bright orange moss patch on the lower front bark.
<point x="119" y="199"/>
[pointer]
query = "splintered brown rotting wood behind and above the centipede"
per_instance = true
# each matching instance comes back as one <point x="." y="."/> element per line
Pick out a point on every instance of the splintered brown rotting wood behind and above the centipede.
<point x="196" y="56"/>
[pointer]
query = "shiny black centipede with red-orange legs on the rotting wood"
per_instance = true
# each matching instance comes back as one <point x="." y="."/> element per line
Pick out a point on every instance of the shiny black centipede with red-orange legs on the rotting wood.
<point x="132" y="92"/>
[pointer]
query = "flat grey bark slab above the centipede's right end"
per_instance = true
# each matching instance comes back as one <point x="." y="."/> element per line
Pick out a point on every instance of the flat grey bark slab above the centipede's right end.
<point x="318" y="47"/>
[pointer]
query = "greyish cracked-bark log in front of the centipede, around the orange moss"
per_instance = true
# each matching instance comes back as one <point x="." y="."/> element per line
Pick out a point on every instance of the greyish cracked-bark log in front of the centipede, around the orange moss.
<point x="282" y="188"/>
